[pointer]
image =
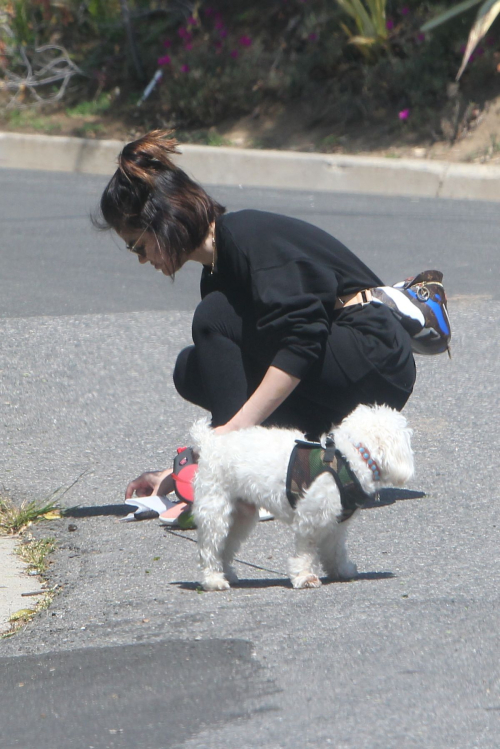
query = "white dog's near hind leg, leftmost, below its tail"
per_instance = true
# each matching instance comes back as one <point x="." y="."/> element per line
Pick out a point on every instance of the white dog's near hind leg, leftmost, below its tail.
<point x="213" y="518"/>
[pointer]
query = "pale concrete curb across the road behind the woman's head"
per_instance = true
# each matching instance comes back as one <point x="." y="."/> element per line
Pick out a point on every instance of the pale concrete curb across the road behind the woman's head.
<point x="272" y="169"/>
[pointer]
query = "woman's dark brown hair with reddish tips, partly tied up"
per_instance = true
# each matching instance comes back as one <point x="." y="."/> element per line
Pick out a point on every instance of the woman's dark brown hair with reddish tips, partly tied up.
<point x="148" y="191"/>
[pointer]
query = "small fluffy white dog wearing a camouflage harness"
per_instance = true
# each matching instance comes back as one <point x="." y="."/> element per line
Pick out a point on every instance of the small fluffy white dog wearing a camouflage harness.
<point x="241" y="471"/>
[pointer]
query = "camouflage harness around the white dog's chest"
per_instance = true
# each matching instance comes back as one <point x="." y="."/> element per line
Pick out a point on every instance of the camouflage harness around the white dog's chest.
<point x="309" y="460"/>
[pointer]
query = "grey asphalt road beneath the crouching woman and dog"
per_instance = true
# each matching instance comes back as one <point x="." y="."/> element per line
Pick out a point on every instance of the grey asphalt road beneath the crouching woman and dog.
<point x="130" y="654"/>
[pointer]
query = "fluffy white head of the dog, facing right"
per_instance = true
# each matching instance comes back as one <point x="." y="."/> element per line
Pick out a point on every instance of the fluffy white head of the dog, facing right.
<point x="387" y="437"/>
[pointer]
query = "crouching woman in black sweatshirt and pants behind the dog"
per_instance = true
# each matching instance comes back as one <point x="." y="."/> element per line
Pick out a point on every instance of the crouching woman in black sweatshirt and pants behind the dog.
<point x="282" y="335"/>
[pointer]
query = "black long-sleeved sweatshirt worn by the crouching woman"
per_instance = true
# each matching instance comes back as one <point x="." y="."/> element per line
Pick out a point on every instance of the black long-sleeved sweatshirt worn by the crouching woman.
<point x="284" y="276"/>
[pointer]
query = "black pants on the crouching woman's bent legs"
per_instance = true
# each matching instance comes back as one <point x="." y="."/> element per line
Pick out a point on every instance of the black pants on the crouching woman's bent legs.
<point x="226" y="364"/>
